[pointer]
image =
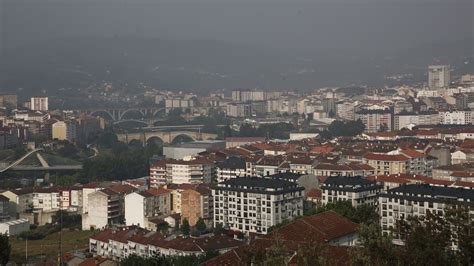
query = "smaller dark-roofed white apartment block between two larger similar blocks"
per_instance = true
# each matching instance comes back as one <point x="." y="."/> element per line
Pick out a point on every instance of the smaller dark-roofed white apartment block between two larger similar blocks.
<point x="355" y="189"/>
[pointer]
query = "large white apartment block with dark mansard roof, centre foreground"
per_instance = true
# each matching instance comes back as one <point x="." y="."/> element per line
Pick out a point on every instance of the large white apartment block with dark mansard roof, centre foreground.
<point x="253" y="204"/>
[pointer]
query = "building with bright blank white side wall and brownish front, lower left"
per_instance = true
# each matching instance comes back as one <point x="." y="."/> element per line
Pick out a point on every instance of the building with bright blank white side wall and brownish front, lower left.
<point x="142" y="205"/>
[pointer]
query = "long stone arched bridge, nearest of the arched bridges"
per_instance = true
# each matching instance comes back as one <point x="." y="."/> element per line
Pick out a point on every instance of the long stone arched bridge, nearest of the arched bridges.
<point x="166" y="136"/>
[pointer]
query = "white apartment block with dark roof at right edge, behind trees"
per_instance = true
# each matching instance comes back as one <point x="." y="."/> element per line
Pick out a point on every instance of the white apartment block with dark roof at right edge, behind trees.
<point x="418" y="199"/>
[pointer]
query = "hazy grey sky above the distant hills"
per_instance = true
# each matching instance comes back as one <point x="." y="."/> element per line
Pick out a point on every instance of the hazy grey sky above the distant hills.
<point x="305" y="26"/>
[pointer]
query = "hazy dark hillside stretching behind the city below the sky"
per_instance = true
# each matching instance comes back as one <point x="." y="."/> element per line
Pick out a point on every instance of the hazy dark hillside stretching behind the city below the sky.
<point x="205" y="65"/>
